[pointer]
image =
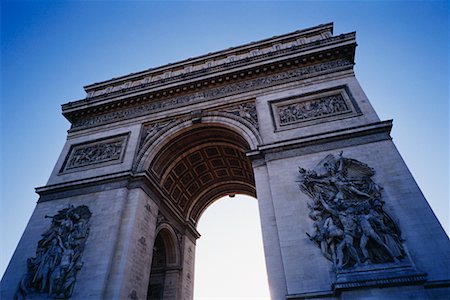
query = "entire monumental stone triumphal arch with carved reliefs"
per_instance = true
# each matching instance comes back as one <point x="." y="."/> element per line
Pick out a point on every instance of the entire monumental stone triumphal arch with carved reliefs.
<point x="283" y="119"/>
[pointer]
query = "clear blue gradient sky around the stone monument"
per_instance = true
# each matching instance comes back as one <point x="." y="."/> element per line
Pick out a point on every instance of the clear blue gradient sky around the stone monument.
<point x="50" y="50"/>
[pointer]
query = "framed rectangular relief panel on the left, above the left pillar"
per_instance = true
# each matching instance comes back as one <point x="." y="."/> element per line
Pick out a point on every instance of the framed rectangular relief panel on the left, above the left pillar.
<point x="98" y="153"/>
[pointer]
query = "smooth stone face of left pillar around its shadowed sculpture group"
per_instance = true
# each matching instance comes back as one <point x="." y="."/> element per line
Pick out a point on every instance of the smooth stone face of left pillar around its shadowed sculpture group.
<point x="99" y="251"/>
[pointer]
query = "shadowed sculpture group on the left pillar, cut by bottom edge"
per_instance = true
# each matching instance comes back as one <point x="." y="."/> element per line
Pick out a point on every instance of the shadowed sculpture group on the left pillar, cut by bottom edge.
<point x="52" y="272"/>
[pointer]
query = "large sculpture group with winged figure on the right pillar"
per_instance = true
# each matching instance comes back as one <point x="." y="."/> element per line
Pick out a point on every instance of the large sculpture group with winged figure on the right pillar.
<point x="350" y="225"/>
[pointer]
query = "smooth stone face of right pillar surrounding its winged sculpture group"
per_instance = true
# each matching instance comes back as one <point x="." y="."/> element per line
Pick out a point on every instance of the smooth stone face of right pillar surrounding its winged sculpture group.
<point x="308" y="273"/>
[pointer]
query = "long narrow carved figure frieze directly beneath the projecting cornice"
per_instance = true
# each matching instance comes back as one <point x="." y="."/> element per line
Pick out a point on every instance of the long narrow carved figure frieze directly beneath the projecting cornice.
<point x="230" y="89"/>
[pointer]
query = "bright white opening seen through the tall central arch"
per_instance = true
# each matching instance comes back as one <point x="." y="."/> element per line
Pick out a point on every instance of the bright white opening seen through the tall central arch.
<point x="229" y="254"/>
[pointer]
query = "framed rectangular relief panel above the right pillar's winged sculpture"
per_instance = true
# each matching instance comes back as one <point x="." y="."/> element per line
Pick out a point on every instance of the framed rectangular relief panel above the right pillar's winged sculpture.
<point x="314" y="108"/>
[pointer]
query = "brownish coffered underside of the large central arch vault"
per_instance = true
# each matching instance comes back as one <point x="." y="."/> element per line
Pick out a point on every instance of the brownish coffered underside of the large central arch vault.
<point x="202" y="164"/>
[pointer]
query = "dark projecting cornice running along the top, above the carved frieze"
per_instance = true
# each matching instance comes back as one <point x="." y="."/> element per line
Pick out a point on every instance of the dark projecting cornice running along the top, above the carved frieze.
<point x="207" y="78"/>
